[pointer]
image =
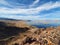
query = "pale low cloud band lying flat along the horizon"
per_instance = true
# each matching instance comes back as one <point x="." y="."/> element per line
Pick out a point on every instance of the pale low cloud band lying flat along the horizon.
<point x="27" y="17"/>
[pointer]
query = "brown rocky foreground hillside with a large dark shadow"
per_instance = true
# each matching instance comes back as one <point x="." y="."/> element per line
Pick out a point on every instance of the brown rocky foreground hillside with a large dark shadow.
<point x="29" y="35"/>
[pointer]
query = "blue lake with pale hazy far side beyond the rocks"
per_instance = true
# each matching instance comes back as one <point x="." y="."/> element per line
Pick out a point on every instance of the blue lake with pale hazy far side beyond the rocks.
<point x="44" y="23"/>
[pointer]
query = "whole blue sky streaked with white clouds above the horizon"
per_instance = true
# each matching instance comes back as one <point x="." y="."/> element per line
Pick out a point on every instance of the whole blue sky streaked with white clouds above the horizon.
<point x="30" y="9"/>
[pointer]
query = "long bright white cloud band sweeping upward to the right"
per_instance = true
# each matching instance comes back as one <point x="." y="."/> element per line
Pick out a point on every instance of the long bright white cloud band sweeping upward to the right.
<point x="30" y="11"/>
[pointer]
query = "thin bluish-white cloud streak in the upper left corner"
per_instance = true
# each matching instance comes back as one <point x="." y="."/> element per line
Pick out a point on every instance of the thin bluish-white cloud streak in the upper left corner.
<point x="12" y="4"/>
